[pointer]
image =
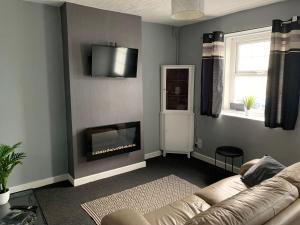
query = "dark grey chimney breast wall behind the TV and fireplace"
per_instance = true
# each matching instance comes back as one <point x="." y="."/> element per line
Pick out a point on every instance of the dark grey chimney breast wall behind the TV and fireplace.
<point x="94" y="101"/>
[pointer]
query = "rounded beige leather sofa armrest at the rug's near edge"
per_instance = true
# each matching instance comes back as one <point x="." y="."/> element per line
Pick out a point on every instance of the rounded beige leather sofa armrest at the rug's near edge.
<point x="124" y="217"/>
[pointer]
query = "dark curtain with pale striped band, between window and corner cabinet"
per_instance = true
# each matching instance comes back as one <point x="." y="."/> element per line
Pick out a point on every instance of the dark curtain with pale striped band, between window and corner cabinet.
<point x="212" y="74"/>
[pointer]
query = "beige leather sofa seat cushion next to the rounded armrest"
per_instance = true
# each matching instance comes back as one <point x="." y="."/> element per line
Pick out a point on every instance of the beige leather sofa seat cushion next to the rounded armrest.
<point x="178" y="212"/>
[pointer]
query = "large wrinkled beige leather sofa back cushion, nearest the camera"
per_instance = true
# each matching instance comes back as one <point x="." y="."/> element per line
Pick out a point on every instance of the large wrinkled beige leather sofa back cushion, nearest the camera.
<point x="254" y="206"/>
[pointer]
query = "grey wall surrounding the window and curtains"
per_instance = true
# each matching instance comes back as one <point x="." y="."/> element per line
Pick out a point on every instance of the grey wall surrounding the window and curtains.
<point x="251" y="135"/>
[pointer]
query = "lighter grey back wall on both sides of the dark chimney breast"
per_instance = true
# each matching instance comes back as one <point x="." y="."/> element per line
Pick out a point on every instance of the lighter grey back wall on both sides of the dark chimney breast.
<point x="32" y="86"/>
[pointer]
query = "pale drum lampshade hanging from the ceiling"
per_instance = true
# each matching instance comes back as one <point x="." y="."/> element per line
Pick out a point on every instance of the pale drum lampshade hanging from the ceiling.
<point x="187" y="9"/>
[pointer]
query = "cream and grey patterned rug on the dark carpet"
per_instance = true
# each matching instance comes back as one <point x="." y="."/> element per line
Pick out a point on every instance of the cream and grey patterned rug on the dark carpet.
<point x="143" y="199"/>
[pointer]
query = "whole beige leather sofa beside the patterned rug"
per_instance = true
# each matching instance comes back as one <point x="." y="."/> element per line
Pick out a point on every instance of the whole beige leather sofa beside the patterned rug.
<point x="228" y="202"/>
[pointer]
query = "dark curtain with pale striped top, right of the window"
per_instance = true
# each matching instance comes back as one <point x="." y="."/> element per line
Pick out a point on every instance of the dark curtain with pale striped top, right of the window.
<point x="283" y="86"/>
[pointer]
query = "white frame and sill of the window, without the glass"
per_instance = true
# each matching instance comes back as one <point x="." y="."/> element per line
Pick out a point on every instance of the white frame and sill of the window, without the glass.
<point x="232" y="41"/>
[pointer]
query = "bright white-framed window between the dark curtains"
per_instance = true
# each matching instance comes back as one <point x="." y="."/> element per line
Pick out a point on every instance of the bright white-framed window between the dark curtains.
<point x="246" y="67"/>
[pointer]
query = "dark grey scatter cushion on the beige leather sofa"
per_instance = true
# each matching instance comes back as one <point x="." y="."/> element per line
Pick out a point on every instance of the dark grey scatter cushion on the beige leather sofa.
<point x="264" y="169"/>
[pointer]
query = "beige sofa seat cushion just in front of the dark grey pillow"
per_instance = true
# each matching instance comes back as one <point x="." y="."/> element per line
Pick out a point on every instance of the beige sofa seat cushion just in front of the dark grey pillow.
<point x="222" y="190"/>
